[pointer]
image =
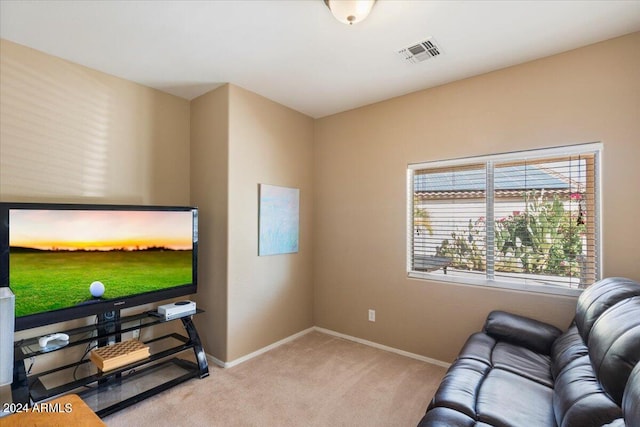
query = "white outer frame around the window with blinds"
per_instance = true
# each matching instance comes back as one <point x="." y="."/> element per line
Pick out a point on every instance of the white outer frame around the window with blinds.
<point x="595" y="148"/>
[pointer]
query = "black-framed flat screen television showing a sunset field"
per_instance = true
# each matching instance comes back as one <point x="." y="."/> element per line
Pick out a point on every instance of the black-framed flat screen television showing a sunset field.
<point x="67" y="261"/>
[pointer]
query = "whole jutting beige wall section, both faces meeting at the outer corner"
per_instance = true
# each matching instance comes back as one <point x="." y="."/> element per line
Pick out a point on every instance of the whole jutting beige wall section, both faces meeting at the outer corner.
<point x="240" y="140"/>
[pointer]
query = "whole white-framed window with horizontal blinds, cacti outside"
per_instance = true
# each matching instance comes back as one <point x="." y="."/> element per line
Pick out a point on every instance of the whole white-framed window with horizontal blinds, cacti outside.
<point x="525" y="220"/>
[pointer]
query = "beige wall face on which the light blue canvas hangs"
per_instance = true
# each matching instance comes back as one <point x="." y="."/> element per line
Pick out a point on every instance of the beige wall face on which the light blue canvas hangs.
<point x="270" y="297"/>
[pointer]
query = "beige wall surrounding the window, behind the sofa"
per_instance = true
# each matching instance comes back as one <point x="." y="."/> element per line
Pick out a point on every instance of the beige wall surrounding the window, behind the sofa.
<point x="360" y="159"/>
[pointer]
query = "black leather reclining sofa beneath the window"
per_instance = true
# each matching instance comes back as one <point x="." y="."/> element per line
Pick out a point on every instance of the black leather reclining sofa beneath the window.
<point x="522" y="372"/>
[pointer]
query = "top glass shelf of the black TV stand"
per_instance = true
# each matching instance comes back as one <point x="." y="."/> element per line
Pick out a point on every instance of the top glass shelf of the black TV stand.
<point x="86" y="334"/>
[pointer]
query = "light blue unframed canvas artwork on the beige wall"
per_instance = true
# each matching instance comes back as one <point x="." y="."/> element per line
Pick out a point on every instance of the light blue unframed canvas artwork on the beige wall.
<point x="279" y="220"/>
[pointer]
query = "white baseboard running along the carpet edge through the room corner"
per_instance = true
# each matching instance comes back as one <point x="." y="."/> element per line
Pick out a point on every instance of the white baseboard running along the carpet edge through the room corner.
<point x="249" y="356"/>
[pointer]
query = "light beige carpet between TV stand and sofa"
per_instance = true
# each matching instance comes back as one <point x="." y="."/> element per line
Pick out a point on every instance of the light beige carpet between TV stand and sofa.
<point x="315" y="380"/>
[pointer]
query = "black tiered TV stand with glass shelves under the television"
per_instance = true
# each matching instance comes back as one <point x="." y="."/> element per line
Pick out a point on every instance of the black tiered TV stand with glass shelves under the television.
<point x="108" y="392"/>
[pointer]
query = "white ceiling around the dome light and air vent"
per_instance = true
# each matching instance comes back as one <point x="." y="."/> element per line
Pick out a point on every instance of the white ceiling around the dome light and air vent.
<point x="294" y="51"/>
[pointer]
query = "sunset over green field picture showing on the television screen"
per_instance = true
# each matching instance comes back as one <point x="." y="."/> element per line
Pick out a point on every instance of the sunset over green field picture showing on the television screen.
<point x="56" y="254"/>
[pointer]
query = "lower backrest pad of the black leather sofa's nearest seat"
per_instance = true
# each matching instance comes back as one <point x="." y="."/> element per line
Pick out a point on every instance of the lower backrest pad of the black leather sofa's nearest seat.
<point x="578" y="399"/>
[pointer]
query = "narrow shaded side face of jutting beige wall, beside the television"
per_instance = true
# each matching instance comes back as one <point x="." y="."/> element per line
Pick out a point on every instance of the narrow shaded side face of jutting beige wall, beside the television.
<point x="209" y="191"/>
